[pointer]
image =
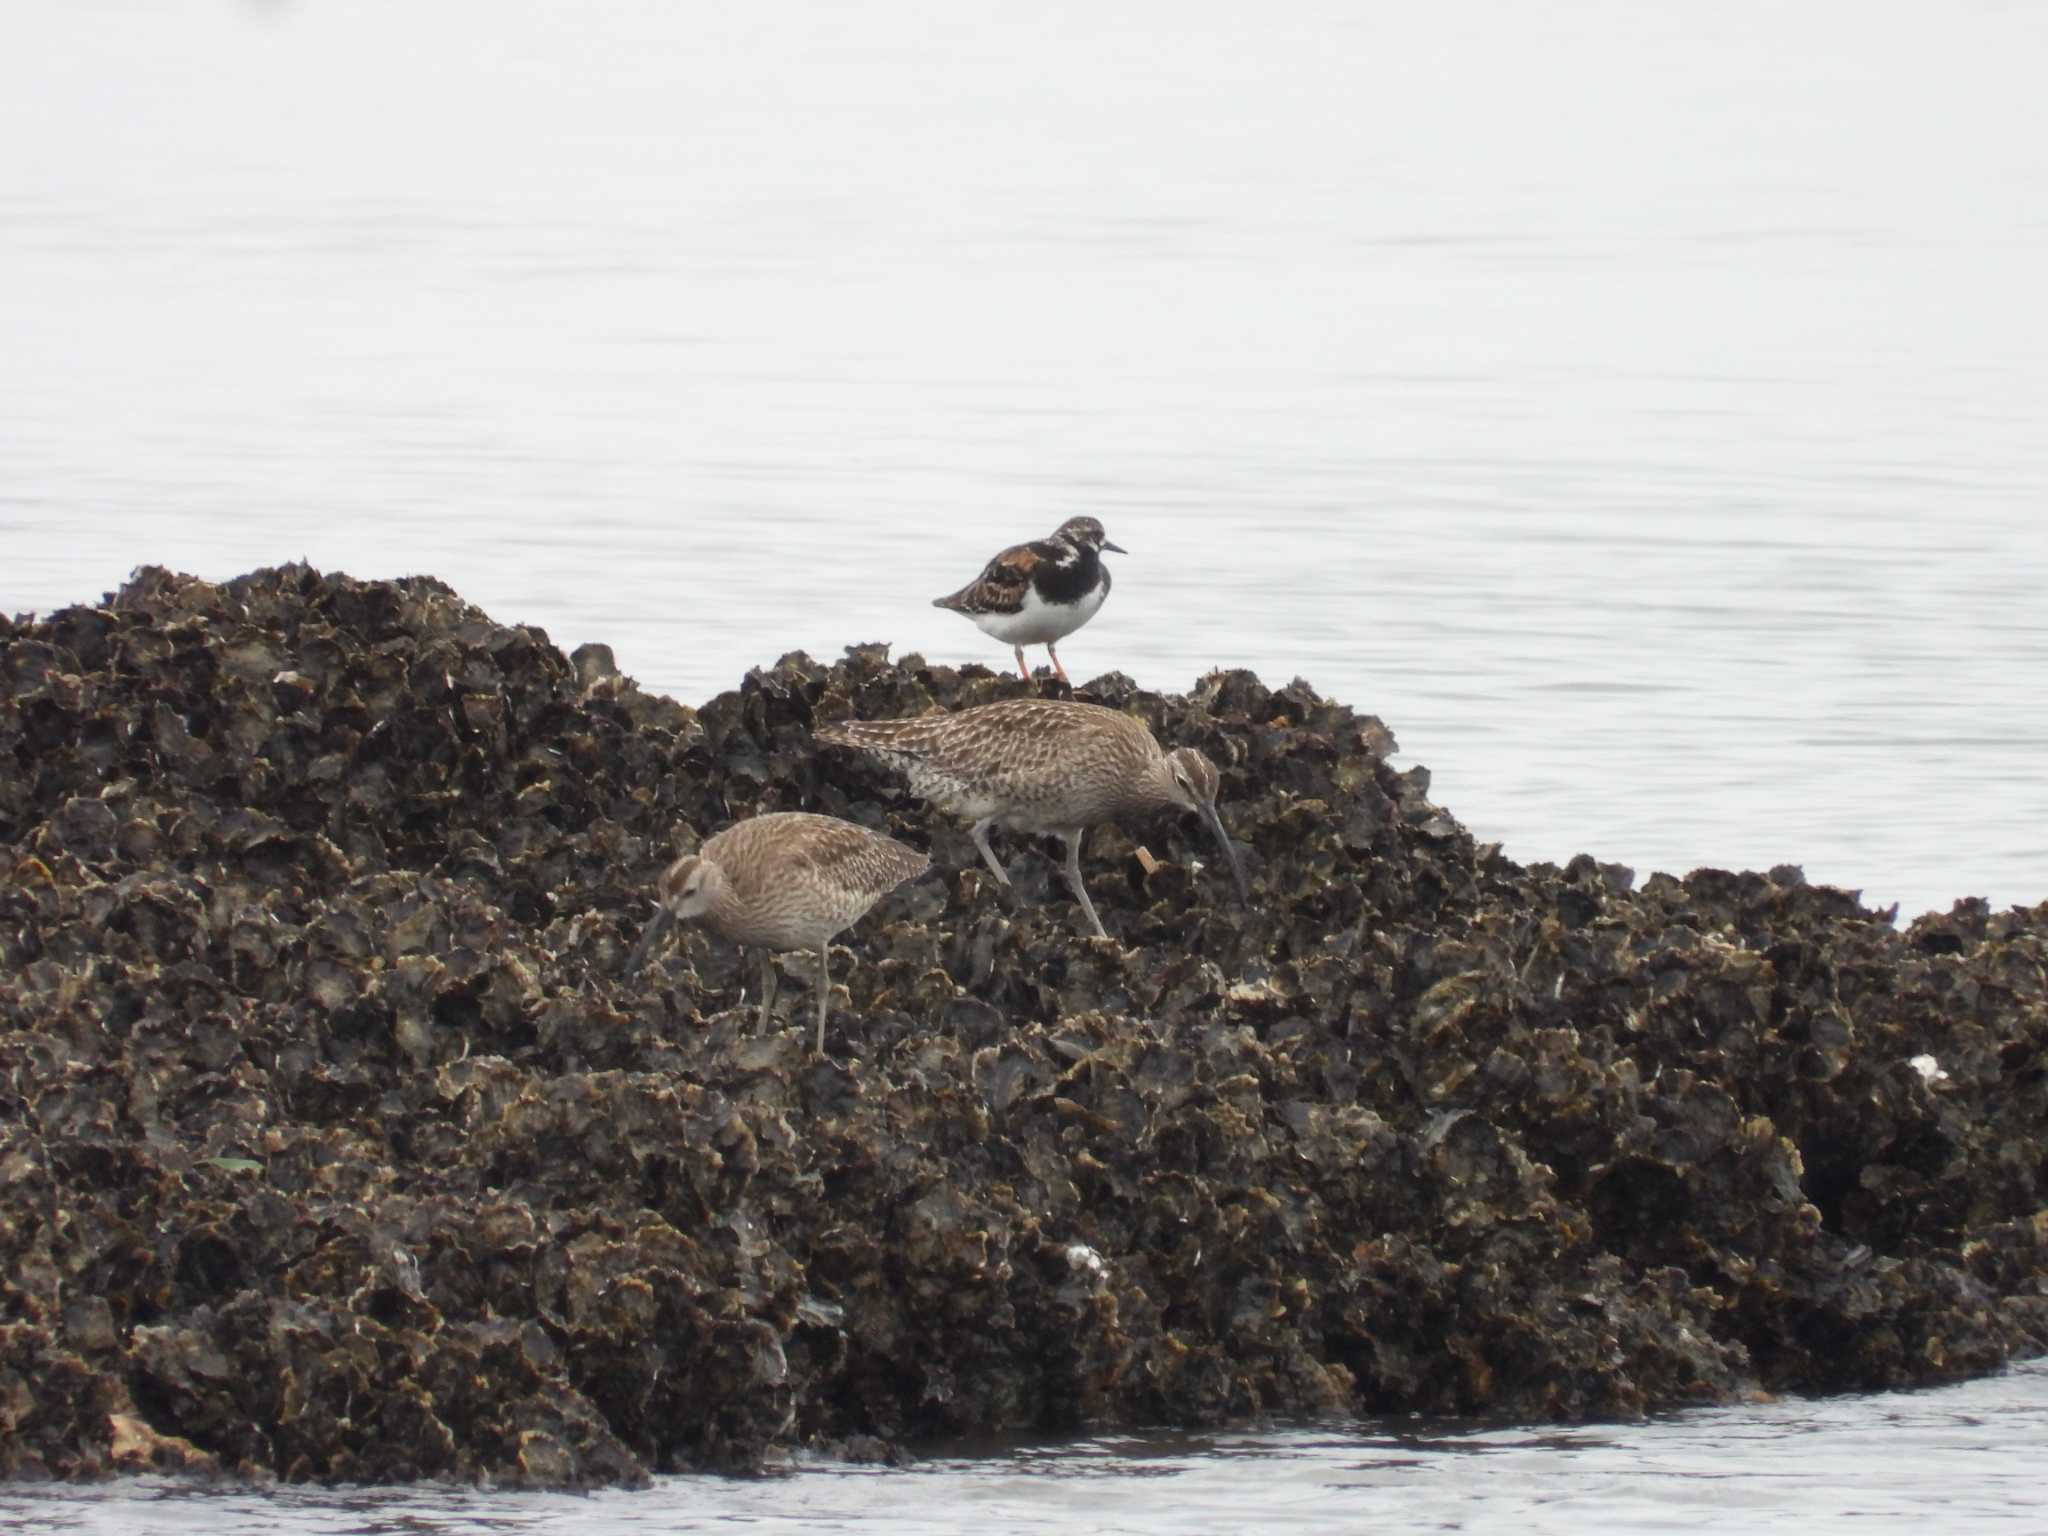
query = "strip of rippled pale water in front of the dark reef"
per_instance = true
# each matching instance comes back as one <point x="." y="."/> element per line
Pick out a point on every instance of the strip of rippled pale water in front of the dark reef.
<point x="1955" y="1459"/>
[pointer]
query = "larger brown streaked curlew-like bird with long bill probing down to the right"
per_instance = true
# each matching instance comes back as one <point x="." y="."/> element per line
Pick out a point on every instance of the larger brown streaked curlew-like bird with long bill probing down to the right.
<point x="1043" y="765"/>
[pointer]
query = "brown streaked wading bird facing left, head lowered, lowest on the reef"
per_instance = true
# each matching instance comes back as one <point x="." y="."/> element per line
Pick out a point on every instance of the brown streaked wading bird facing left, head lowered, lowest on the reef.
<point x="783" y="882"/>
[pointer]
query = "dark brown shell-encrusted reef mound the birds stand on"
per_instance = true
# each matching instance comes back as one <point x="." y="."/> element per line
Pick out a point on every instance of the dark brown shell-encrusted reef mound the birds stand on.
<point x="335" y="1144"/>
